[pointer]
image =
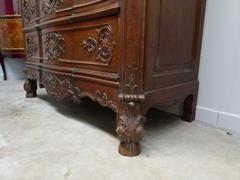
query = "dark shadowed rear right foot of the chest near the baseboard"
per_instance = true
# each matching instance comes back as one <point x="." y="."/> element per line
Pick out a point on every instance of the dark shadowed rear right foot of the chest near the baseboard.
<point x="189" y="108"/>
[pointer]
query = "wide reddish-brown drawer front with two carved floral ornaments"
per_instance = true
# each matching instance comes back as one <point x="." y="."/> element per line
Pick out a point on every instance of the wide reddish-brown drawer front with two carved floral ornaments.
<point x="89" y="45"/>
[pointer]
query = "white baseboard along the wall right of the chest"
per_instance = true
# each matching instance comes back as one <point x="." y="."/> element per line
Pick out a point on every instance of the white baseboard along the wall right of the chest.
<point x="222" y="120"/>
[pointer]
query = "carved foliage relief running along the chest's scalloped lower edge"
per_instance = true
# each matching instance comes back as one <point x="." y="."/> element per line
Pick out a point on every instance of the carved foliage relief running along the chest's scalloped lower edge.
<point x="62" y="88"/>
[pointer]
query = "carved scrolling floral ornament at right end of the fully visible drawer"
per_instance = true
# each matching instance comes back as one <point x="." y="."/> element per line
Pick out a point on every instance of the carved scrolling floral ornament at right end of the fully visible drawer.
<point x="101" y="44"/>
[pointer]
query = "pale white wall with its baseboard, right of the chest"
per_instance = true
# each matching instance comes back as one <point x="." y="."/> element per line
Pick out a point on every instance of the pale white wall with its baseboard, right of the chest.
<point x="219" y="94"/>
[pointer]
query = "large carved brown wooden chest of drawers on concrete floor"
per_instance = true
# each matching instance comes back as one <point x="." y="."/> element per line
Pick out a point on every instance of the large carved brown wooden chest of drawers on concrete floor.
<point x="128" y="55"/>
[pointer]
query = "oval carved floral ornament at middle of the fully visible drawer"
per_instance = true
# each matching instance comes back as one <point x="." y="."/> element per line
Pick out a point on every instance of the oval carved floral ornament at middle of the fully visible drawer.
<point x="54" y="45"/>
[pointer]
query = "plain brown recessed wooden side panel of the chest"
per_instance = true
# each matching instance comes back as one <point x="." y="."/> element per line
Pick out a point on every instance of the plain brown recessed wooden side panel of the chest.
<point x="174" y="30"/>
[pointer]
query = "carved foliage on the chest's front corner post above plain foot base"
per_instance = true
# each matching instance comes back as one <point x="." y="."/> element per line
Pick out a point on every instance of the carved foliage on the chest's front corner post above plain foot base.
<point x="130" y="122"/>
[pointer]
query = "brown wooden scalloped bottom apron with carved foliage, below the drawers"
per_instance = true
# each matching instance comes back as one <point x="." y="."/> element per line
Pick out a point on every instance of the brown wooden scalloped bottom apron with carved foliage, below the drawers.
<point x="64" y="87"/>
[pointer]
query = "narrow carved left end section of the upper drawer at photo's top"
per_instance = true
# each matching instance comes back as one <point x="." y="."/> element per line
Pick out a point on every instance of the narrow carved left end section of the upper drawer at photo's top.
<point x="29" y="12"/>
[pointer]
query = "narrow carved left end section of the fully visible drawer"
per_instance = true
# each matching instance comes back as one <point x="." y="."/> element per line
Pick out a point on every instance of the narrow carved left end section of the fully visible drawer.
<point x="32" y="46"/>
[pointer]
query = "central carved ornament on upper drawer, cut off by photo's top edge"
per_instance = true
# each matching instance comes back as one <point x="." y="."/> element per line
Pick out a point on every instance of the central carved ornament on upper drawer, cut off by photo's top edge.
<point x="50" y="6"/>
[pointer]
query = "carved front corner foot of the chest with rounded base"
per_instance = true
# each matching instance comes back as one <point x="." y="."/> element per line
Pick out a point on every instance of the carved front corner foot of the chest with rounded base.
<point x="130" y="131"/>
